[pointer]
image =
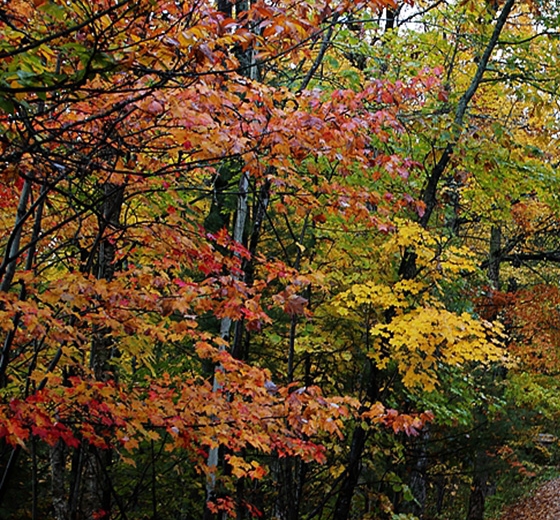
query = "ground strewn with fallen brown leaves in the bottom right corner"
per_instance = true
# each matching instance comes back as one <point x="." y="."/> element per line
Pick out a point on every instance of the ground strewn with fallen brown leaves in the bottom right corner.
<point x="541" y="504"/>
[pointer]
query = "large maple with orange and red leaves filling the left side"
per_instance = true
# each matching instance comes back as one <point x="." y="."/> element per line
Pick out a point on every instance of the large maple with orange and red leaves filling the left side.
<point x="133" y="136"/>
